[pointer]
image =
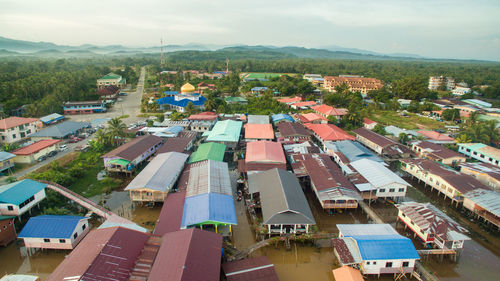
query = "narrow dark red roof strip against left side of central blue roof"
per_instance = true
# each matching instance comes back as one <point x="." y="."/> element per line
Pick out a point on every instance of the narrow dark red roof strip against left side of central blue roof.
<point x="171" y="213"/>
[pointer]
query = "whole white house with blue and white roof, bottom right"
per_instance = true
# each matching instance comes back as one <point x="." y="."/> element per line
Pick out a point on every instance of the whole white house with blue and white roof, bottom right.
<point x="375" y="249"/>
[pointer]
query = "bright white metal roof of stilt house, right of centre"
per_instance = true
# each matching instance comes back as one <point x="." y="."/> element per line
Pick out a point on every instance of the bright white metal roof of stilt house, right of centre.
<point x="376" y="173"/>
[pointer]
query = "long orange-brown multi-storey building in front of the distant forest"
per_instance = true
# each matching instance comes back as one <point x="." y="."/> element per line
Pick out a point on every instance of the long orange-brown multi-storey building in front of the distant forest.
<point x="355" y="83"/>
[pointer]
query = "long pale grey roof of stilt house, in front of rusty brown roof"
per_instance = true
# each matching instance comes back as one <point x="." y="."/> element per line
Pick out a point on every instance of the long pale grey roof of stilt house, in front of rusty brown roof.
<point x="161" y="173"/>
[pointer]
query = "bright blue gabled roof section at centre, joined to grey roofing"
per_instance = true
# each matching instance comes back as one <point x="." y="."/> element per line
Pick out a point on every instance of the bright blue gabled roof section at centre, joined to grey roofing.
<point x="207" y="208"/>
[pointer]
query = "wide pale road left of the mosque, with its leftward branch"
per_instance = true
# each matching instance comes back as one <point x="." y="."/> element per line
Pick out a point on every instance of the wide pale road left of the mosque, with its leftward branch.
<point x="129" y="105"/>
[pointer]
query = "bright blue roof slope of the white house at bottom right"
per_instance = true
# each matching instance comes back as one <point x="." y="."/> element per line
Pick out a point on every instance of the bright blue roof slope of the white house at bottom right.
<point x="385" y="247"/>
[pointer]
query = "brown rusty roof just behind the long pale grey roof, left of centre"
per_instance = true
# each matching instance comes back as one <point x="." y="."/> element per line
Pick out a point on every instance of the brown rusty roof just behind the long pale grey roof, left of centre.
<point x="134" y="148"/>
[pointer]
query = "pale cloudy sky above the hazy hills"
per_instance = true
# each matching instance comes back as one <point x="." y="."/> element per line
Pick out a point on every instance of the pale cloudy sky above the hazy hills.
<point x="431" y="28"/>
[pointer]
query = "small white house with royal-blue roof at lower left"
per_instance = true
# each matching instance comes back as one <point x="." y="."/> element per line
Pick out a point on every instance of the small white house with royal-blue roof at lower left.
<point x="54" y="232"/>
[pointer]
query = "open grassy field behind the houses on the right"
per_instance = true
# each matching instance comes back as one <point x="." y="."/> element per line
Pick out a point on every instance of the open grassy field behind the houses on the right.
<point x="412" y="121"/>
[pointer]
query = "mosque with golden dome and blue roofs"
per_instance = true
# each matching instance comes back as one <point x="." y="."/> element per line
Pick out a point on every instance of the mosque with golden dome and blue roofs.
<point x="179" y="101"/>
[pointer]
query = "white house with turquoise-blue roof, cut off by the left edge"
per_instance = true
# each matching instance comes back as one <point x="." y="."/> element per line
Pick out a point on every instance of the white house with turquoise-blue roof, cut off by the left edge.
<point x="19" y="197"/>
